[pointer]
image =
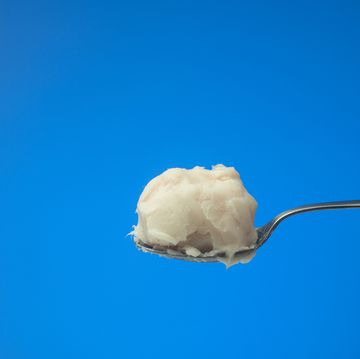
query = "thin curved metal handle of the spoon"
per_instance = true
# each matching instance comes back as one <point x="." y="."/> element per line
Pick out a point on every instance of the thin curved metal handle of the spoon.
<point x="265" y="231"/>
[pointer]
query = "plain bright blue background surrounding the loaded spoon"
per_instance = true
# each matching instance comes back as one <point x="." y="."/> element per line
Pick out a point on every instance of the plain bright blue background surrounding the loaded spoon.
<point x="98" y="97"/>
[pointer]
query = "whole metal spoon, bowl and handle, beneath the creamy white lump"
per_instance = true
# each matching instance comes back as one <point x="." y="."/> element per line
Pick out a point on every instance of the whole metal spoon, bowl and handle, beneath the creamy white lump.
<point x="263" y="232"/>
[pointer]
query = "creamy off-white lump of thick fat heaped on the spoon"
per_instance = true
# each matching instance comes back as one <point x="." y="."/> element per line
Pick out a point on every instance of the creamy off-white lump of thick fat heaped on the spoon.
<point x="199" y="212"/>
